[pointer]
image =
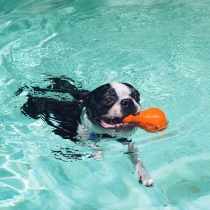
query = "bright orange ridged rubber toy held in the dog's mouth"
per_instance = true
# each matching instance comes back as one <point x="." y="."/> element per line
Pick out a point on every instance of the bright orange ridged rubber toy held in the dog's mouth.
<point x="151" y="120"/>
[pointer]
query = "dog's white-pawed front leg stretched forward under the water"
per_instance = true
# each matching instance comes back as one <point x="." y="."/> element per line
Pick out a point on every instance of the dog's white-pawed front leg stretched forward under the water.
<point x="143" y="175"/>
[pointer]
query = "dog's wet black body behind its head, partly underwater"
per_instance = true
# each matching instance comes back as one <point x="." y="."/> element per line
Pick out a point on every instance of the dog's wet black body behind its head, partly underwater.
<point x="60" y="112"/>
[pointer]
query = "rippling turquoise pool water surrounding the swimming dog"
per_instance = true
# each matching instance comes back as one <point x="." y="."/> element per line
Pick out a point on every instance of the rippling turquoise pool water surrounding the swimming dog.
<point x="161" y="47"/>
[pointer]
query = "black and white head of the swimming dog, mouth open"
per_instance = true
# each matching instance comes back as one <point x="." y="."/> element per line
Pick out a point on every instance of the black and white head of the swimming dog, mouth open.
<point x="107" y="105"/>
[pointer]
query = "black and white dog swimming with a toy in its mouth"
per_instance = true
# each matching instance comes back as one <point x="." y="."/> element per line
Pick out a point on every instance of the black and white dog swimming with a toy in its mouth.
<point x="79" y="115"/>
